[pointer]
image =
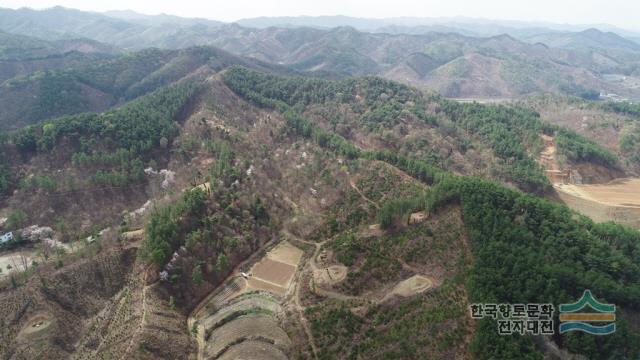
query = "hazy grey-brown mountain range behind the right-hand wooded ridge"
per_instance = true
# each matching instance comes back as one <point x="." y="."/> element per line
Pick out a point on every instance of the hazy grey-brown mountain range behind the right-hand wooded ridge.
<point x="452" y="64"/>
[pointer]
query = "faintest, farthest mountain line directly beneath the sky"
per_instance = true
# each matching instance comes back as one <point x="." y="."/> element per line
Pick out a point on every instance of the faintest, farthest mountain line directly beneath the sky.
<point x="71" y="21"/>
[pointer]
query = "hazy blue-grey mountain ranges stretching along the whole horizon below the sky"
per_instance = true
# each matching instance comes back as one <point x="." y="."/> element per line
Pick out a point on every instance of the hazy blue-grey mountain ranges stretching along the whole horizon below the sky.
<point x="454" y="57"/>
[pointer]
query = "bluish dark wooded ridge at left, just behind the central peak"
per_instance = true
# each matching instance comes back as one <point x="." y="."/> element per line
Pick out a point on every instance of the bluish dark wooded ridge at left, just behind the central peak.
<point x="97" y="84"/>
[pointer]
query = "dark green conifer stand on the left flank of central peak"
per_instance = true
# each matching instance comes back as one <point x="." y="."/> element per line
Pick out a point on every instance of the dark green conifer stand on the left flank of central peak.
<point x="115" y="144"/>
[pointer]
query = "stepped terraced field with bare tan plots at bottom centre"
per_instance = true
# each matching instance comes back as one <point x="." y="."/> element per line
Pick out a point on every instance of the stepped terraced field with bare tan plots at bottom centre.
<point x="242" y="320"/>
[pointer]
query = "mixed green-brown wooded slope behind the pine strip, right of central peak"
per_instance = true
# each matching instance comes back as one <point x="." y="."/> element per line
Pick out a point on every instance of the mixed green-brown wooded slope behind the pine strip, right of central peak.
<point x="512" y="133"/>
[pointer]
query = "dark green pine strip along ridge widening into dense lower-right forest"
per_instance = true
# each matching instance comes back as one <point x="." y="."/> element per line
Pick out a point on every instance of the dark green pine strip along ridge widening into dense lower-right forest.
<point x="525" y="249"/>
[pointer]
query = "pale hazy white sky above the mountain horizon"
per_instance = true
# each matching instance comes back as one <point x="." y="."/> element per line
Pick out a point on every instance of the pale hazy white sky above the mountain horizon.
<point x="623" y="13"/>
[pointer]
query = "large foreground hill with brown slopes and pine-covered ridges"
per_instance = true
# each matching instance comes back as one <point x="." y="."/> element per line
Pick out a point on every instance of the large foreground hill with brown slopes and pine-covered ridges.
<point x="370" y="178"/>
